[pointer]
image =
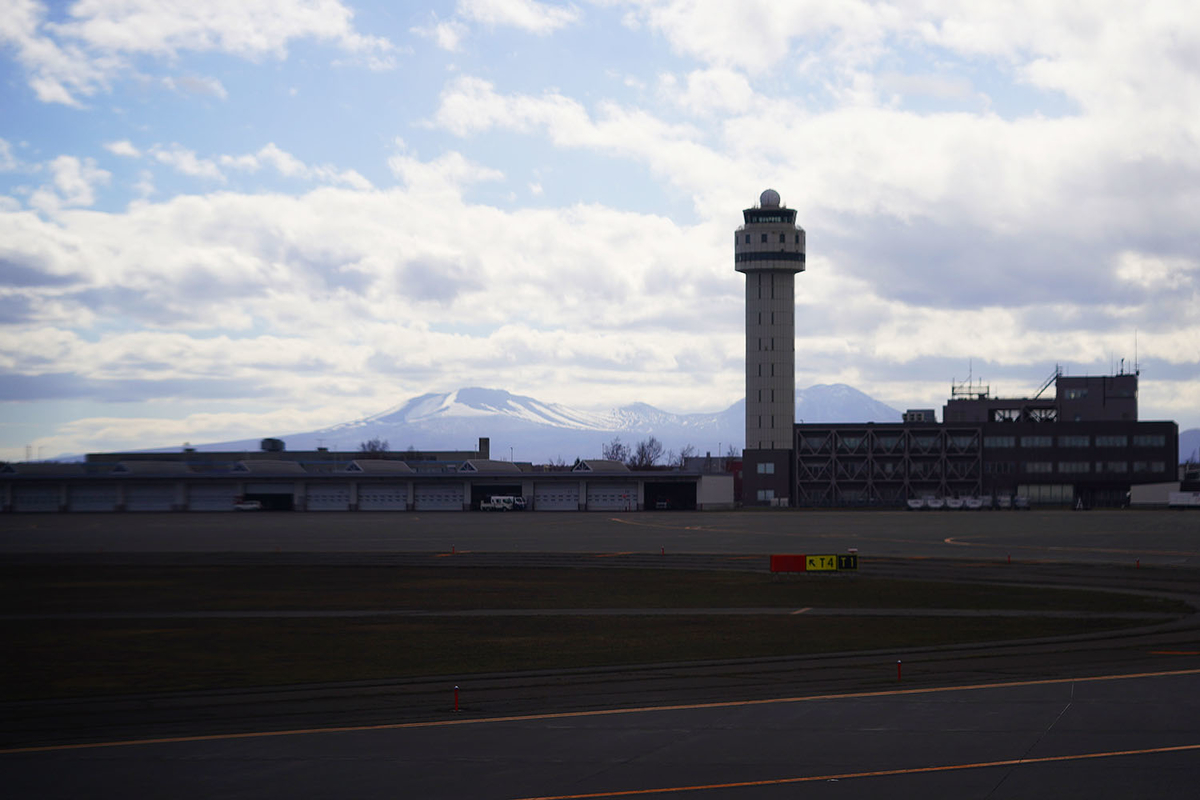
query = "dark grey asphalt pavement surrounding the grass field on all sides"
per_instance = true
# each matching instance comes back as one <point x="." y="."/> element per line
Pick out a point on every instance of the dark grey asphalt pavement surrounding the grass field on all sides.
<point x="1115" y="715"/>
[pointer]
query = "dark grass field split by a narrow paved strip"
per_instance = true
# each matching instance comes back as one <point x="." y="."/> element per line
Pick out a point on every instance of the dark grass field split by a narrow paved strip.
<point x="69" y="657"/>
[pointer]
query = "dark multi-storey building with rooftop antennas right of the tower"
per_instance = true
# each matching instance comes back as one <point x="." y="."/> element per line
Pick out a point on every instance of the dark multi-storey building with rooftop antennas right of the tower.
<point x="1084" y="447"/>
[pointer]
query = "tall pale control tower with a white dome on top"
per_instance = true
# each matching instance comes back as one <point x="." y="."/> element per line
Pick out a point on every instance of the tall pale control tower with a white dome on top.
<point x="770" y="250"/>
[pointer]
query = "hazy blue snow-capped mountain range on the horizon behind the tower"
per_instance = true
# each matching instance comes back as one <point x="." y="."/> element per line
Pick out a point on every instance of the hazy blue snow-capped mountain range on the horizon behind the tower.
<point x="525" y="429"/>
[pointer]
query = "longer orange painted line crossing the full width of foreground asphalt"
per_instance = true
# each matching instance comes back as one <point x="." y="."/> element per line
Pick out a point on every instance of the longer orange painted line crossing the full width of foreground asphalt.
<point x="599" y="713"/>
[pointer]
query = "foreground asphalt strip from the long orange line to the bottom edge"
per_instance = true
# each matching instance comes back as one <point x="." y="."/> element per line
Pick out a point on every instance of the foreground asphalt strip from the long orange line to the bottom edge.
<point x="1106" y="737"/>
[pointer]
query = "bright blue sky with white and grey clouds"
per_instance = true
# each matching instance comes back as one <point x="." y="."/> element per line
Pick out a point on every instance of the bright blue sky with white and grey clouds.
<point x="249" y="218"/>
